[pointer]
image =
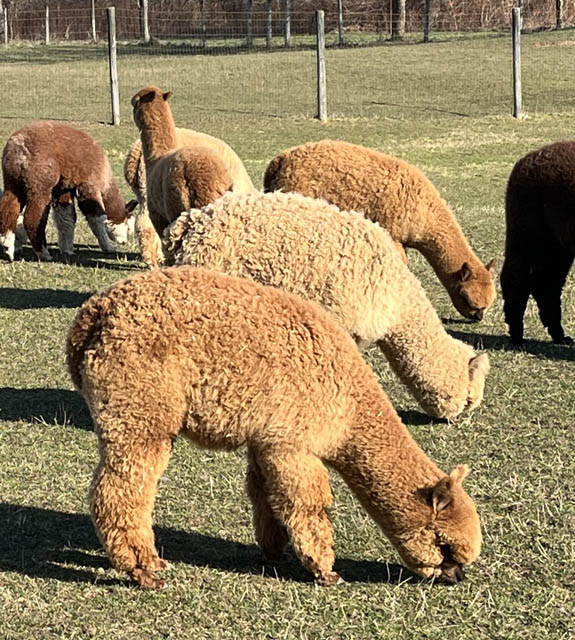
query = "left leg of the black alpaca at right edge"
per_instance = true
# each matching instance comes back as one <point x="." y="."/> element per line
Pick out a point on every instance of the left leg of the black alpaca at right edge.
<point x="515" y="287"/>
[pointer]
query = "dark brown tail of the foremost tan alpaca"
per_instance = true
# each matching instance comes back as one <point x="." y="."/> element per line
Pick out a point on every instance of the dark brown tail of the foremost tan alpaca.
<point x="84" y="332"/>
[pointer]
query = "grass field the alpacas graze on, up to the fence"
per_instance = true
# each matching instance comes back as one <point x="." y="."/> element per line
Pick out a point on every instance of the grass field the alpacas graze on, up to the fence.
<point x="452" y="121"/>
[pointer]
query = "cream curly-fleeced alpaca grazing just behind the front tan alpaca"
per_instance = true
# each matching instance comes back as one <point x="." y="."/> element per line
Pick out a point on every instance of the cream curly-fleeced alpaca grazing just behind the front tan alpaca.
<point x="350" y="266"/>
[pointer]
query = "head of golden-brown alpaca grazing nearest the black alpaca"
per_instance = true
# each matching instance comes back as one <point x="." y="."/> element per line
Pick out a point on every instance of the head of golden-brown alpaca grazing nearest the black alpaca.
<point x="473" y="290"/>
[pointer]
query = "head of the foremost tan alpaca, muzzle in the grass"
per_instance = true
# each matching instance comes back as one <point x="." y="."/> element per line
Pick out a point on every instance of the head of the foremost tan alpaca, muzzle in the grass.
<point x="450" y="536"/>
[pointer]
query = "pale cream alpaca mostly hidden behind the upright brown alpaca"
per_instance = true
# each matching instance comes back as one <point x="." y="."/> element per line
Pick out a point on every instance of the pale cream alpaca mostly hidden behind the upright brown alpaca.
<point x="135" y="175"/>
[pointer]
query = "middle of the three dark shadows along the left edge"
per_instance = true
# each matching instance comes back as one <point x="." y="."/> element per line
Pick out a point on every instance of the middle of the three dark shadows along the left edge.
<point x="43" y="405"/>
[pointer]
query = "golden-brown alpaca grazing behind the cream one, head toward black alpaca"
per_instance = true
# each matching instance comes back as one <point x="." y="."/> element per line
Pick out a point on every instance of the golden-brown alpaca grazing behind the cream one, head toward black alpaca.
<point x="401" y="199"/>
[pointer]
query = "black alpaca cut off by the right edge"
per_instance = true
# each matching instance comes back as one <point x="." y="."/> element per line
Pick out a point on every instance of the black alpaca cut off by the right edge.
<point x="540" y="237"/>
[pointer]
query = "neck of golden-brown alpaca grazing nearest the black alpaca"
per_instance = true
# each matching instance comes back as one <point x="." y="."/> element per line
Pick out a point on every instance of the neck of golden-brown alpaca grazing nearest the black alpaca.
<point x="444" y="246"/>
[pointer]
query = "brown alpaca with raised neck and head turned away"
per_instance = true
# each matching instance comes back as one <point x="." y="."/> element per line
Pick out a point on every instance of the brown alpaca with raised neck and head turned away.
<point x="177" y="178"/>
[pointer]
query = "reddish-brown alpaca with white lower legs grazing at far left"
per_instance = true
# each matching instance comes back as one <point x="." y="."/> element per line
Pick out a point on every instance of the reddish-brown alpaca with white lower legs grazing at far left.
<point x="41" y="163"/>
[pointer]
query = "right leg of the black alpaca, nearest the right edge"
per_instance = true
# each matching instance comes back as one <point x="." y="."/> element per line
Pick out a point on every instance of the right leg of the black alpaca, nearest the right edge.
<point x="549" y="276"/>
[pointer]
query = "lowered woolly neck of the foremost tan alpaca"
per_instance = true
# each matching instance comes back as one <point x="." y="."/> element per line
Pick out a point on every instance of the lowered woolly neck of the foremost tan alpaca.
<point x="385" y="467"/>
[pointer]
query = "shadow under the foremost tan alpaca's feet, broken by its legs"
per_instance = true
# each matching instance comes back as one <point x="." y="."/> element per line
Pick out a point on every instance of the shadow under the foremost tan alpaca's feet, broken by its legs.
<point x="43" y="543"/>
